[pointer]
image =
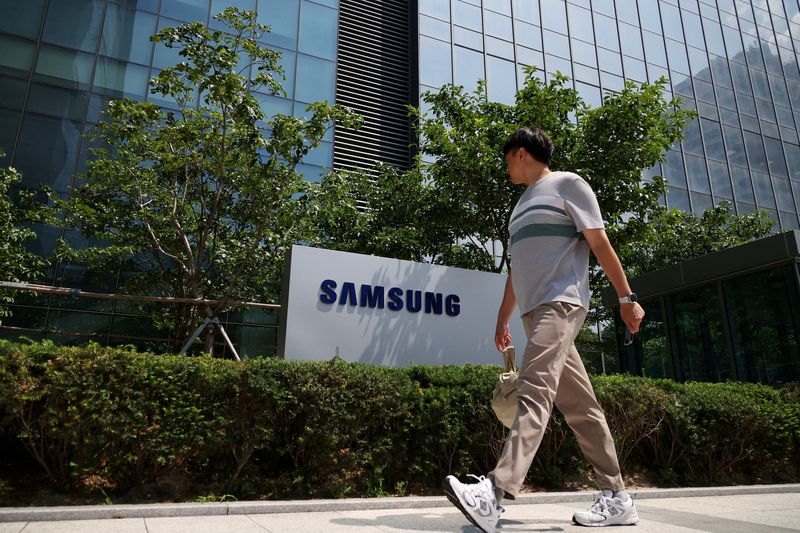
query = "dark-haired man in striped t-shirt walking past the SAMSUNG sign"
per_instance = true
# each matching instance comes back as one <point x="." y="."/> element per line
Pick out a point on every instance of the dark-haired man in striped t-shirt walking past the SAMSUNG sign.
<point x="554" y="225"/>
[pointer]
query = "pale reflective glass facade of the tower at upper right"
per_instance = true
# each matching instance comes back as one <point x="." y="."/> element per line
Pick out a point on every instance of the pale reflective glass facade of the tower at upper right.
<point x="735" y="62"/>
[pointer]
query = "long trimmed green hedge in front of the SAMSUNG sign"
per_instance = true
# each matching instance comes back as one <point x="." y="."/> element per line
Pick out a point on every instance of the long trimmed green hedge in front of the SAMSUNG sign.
<point x="267" y="428"/>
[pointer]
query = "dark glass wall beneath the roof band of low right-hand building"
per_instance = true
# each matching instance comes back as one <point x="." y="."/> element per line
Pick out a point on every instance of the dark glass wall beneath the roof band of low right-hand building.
<point x="744" y="328"/>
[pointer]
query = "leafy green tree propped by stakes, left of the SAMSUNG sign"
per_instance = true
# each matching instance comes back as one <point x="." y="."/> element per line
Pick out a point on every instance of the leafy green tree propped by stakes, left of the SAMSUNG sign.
<point x="202" y="202"/>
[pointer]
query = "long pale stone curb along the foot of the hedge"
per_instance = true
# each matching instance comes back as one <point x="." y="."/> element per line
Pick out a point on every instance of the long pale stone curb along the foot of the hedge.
<point x="164" y="510"/>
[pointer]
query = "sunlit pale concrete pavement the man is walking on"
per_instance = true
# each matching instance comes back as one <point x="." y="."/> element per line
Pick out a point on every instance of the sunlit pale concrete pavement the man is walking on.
<point x="750" y="509"/>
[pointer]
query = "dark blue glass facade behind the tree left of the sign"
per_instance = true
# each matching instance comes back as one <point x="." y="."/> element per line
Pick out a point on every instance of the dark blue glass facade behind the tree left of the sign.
<point x="63" y="61"/>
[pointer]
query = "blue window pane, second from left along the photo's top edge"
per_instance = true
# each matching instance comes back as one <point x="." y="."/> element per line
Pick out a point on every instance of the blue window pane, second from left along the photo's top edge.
<point x="74" y="23"/>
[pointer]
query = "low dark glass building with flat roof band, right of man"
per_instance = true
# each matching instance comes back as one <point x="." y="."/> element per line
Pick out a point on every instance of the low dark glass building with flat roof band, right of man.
<point x="728" y="316"/>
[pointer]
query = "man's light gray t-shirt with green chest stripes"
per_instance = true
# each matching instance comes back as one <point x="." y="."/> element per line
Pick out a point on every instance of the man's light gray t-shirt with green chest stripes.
<point x="550" y="258"/>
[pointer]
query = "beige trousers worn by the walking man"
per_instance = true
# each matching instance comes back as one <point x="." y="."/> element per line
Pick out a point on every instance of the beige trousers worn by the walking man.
<point x="552" y="373"/>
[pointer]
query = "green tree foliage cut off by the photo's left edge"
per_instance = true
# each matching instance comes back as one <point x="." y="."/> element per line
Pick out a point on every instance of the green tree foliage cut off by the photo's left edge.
<point x="17" y="263"/>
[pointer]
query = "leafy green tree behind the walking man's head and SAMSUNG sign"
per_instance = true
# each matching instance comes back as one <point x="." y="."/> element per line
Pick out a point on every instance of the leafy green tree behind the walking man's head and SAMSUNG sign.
<point x="463" y="197"/>
